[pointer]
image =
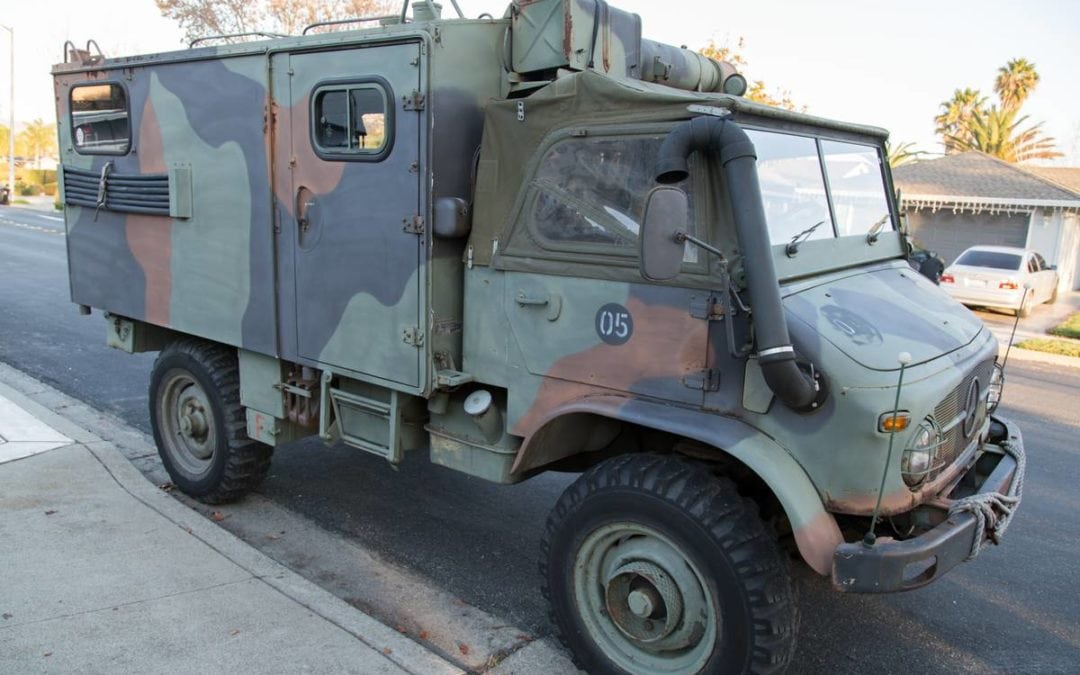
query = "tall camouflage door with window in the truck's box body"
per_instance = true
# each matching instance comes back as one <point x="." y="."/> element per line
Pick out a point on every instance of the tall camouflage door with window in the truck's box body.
<point x="348" y="183"/>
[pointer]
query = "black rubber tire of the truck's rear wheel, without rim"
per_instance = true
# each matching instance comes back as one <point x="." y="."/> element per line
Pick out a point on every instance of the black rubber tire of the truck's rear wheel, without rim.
<point x="237" y="465"/>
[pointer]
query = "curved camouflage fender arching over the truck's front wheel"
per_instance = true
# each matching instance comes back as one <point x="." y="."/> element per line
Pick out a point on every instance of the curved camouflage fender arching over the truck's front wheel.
<point x="816" y="532"/>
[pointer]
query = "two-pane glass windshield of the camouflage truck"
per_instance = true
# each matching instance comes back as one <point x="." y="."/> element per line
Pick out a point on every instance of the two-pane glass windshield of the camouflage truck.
<point x="794" y="192"/>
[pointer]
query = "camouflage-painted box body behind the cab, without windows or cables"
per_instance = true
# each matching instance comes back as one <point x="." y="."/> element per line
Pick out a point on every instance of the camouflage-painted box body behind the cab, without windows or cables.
<point x="238" y="272"/>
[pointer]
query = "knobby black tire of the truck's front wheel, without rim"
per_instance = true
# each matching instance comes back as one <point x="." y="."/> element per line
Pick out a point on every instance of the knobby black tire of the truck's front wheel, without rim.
<point x="715" y="529"/>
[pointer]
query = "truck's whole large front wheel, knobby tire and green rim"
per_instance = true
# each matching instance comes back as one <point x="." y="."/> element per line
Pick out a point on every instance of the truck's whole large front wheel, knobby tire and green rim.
<point x="654" y="565"/>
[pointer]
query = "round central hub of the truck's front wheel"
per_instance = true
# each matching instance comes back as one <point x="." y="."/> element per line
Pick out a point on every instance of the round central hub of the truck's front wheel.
<point x="643" y="601"/>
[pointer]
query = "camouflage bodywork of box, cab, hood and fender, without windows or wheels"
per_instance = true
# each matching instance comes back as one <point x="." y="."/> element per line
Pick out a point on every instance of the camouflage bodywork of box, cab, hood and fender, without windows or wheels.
<point x="340" y="294"/>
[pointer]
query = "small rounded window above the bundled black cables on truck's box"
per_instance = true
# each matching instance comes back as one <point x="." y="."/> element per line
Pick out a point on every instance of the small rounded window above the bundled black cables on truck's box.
<point x="101" y="119"/>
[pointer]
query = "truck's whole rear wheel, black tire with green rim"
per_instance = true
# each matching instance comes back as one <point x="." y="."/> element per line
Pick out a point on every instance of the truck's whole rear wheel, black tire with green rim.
<point x="199" y="425"/>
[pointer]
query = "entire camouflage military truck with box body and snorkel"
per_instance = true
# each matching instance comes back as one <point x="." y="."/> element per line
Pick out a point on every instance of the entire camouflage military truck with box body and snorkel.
<point x="544" y="244"/>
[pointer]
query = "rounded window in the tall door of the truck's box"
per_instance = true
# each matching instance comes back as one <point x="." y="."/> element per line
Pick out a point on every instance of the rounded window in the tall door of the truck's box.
<point x="352" y="121"/>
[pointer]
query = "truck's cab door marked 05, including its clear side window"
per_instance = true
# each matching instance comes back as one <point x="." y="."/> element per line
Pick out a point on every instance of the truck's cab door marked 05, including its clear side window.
<point x="580" y="313"/>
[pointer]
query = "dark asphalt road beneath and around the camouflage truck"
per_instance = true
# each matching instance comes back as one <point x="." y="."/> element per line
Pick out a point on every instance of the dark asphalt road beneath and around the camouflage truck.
<point x="1015" y="610"/>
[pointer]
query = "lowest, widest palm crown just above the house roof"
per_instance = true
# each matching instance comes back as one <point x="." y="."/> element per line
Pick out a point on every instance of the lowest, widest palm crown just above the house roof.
<point x="998" y="132"/>
